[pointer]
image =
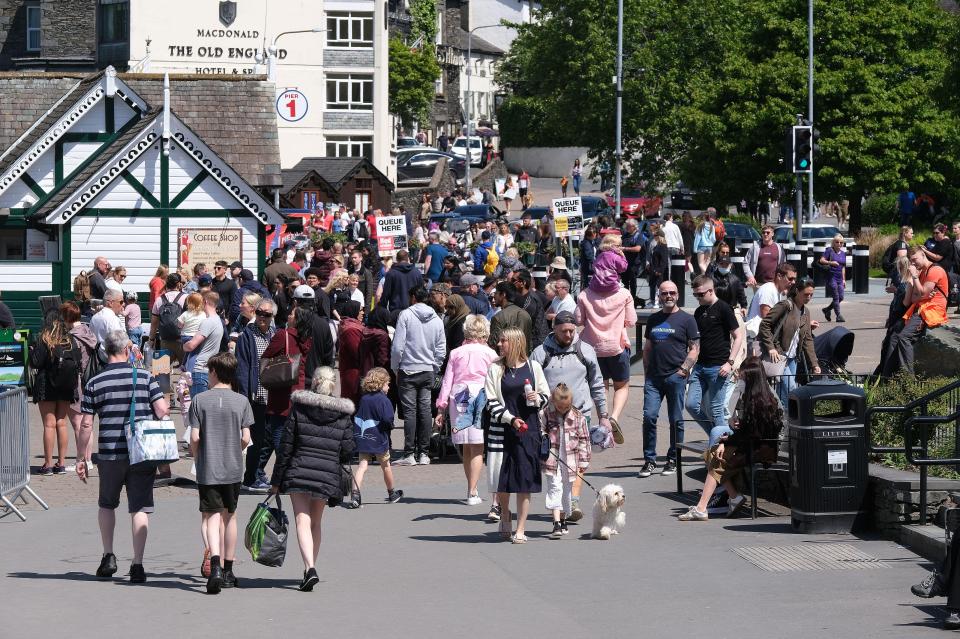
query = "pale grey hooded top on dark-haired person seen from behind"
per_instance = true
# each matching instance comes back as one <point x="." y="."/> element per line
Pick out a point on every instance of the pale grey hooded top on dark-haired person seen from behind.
<point x="419" y="343"/>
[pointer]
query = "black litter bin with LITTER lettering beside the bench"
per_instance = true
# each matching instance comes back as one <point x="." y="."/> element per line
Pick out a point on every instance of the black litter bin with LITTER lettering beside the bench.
<point x="828" y="457"/>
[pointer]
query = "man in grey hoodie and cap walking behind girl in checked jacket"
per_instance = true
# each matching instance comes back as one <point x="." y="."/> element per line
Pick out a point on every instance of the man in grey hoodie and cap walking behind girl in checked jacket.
<point x="567" y="359"/>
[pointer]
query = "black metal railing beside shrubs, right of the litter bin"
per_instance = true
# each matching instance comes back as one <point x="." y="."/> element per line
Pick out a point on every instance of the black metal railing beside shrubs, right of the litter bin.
<point x="916" y="413"/>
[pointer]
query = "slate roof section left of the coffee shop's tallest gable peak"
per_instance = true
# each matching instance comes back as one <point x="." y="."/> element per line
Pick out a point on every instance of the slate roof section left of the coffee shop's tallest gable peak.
<point x="25" y="98"/>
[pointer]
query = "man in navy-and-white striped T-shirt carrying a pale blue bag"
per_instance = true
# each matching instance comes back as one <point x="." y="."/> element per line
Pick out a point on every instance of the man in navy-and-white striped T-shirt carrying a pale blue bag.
<point x="109" y="395"/>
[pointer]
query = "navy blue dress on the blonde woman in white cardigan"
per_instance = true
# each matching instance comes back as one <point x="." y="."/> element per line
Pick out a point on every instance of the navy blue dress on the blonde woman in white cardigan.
<point x="520" y="471"/>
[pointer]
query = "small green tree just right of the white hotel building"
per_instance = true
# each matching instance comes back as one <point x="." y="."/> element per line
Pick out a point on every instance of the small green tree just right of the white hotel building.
<point x="412" y="76"/>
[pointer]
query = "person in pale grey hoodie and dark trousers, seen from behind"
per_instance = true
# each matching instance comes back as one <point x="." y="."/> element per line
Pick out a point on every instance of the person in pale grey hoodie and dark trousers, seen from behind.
<point x="419" y="347"/>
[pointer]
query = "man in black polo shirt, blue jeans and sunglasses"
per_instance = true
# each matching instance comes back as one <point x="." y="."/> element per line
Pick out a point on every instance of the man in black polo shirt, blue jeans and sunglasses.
<point x="721" y="340"/>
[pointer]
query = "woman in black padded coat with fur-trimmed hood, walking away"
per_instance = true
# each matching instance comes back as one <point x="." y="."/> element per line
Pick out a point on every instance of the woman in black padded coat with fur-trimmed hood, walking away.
<point x="317" y="439"/>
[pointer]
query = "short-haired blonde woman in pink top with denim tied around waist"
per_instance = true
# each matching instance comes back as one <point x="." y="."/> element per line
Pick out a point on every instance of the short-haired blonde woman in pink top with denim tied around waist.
<point x="460" y="392"/>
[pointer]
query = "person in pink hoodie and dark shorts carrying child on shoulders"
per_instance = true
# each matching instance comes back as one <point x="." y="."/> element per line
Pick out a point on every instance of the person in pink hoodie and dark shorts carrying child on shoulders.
<point x="605" y="310"/>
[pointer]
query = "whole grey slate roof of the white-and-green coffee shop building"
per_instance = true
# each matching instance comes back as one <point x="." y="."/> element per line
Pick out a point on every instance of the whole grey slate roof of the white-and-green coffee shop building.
<point x="234" y="116"/>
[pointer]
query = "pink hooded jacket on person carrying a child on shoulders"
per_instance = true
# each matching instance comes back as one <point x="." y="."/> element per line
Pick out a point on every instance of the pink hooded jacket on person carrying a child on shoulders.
<point x="605" y="319"/>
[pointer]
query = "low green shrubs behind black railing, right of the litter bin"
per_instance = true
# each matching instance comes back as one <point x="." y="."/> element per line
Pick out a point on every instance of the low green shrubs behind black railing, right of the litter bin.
<point x="888" y="429"/>
